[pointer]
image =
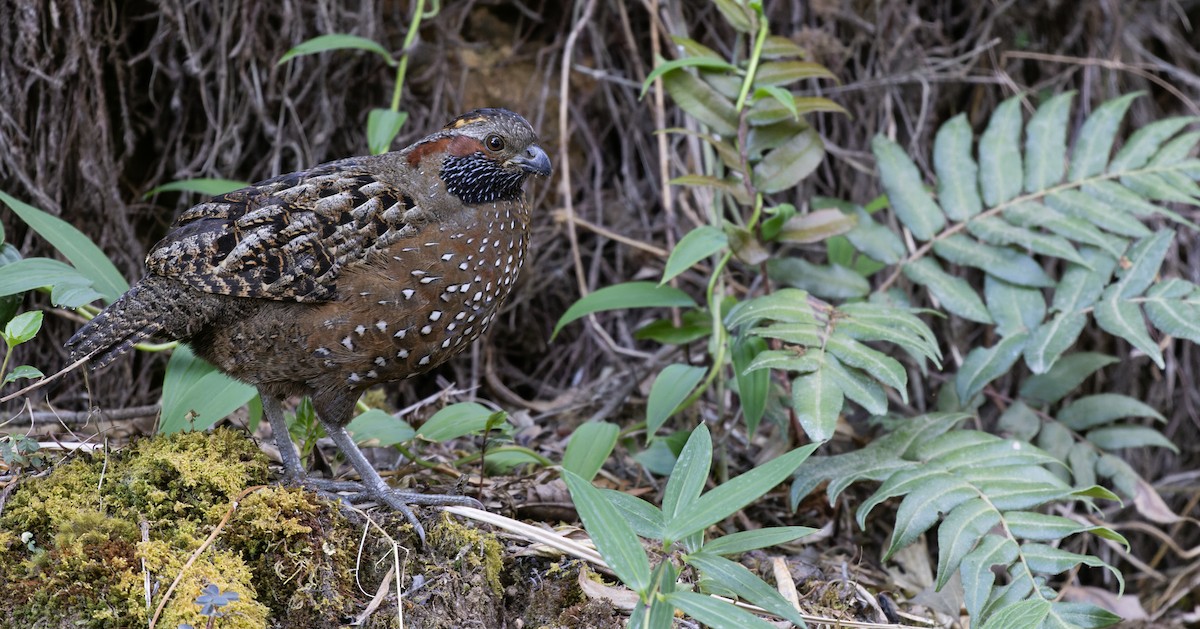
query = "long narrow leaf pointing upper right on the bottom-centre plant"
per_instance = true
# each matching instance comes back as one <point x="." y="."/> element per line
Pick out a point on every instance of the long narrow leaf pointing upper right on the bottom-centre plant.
<point x="731" y="496"/>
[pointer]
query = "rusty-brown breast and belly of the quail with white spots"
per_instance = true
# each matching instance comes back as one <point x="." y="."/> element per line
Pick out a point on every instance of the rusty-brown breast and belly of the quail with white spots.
<point x="415" y="305"/>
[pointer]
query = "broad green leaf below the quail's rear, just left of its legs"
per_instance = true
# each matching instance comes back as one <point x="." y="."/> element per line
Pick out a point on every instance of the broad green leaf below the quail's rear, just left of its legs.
<point x="193" y="387"/>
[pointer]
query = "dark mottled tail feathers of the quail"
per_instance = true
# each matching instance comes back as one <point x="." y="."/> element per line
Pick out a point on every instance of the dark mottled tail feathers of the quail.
<point x="135" y="318"/>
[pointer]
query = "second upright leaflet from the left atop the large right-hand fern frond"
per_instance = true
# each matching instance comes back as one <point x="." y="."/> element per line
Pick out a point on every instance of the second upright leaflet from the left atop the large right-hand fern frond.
<point x="958" y="189"/>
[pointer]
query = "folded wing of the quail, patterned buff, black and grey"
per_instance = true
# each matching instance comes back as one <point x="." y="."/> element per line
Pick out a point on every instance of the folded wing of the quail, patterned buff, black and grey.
<point x="286" y="239"/>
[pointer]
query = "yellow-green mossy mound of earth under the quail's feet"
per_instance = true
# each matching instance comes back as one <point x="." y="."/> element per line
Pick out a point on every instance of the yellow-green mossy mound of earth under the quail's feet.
<point x="87" y="543"/>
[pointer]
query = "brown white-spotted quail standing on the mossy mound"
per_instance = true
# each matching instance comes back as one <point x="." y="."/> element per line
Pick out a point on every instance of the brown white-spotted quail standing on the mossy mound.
<point x="327" y="281"/>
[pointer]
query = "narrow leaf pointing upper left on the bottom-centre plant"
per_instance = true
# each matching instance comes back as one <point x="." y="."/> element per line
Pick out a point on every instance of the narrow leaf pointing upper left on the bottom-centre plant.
<point x="611" y="534"/>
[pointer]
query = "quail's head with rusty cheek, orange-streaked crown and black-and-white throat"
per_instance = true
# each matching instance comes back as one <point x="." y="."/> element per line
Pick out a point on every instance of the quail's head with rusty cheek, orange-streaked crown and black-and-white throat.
<point x="484" y="157"/>
